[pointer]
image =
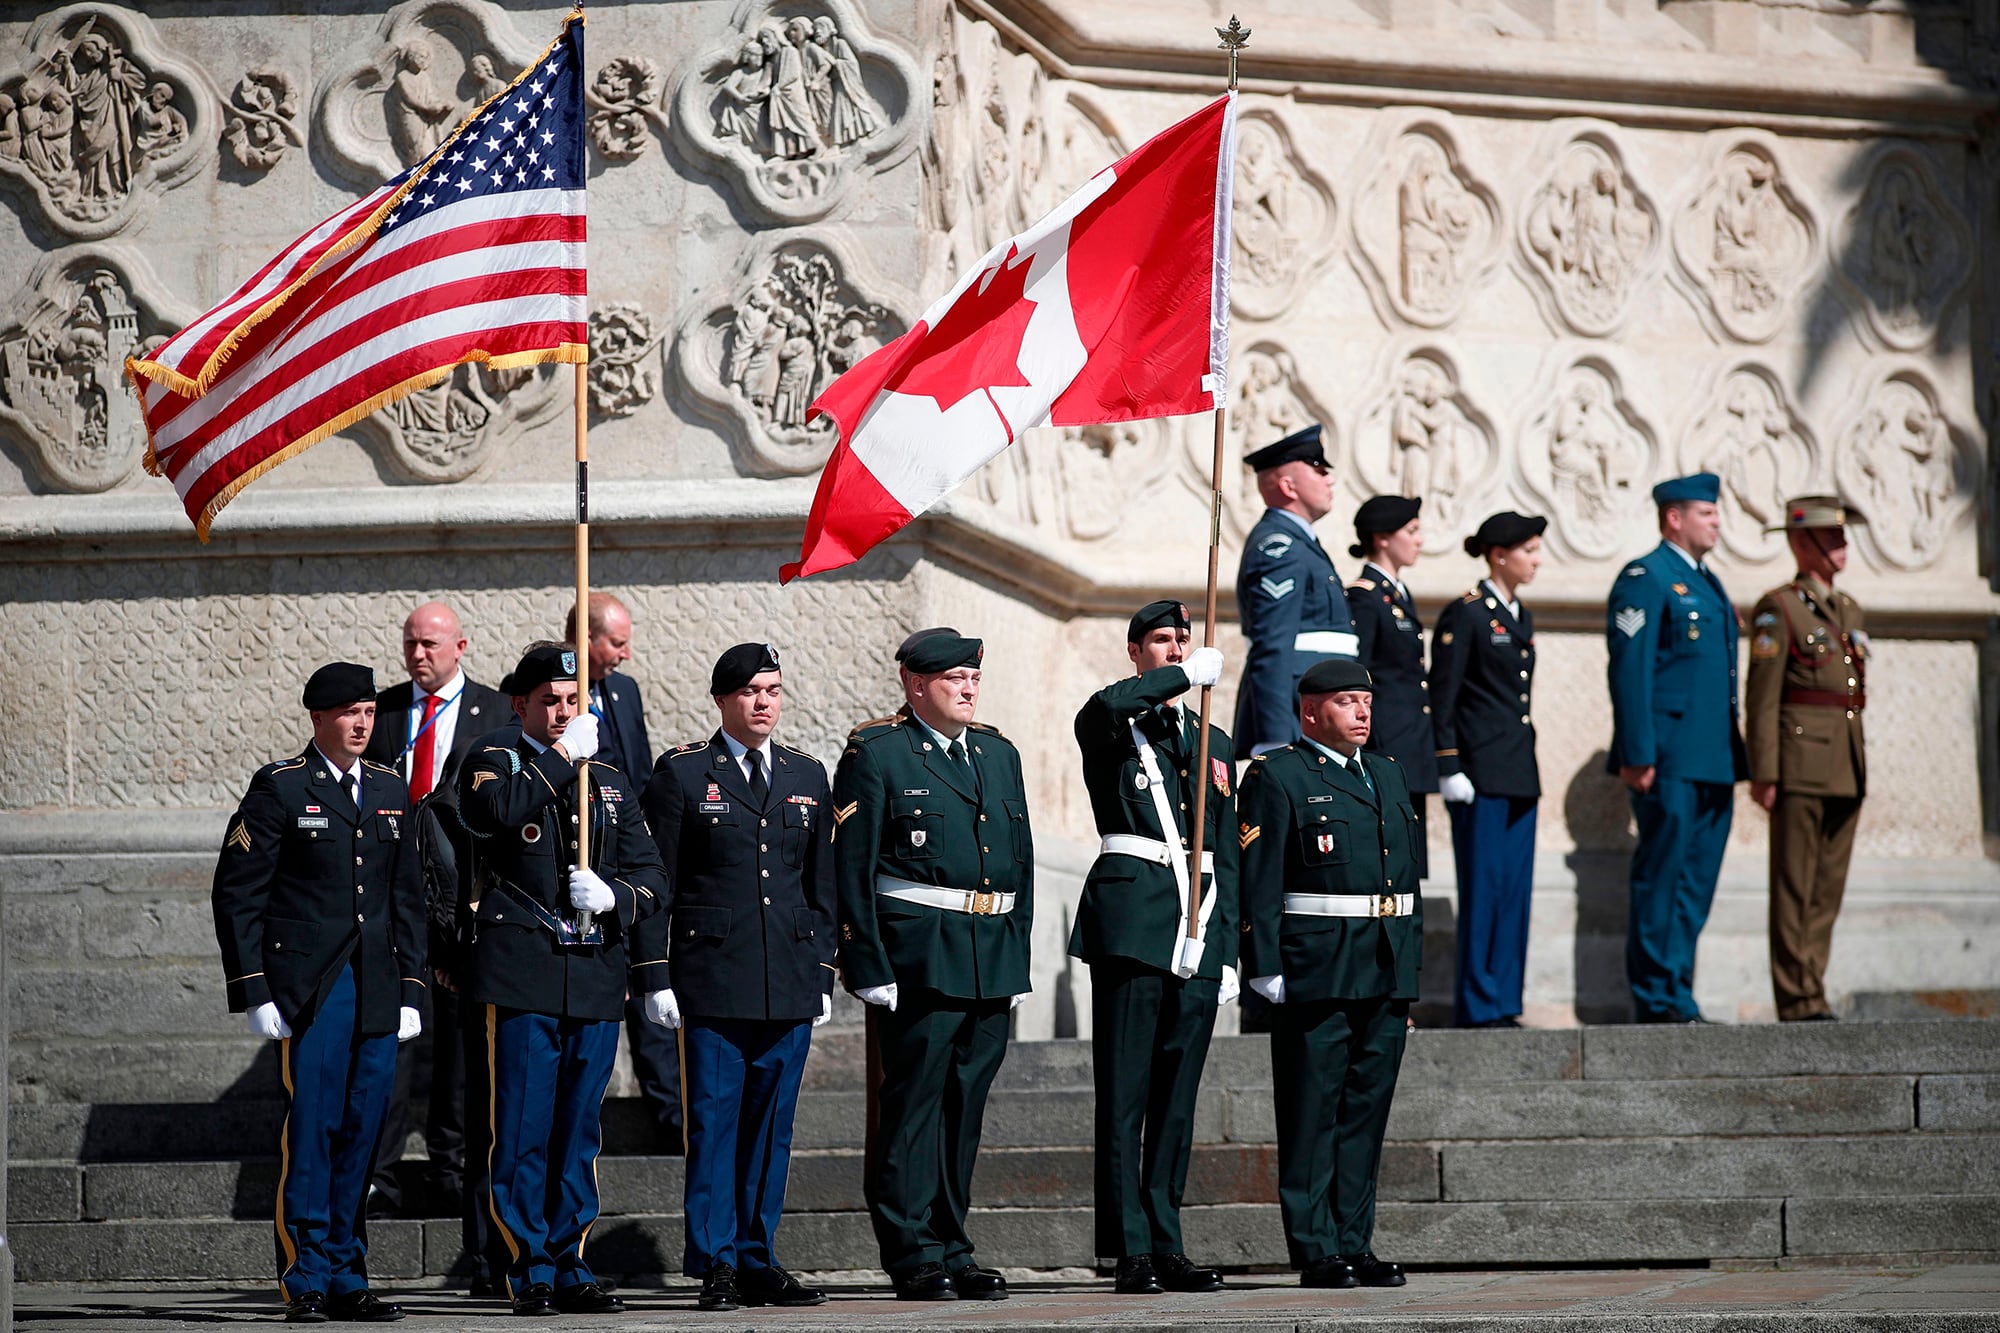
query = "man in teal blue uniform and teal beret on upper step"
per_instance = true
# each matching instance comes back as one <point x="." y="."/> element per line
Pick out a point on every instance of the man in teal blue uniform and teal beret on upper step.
<point x="1677" y="742"/>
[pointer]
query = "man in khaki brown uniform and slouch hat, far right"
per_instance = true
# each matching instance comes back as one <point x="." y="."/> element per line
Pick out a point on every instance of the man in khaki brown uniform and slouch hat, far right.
<point x="1809" y="686"/>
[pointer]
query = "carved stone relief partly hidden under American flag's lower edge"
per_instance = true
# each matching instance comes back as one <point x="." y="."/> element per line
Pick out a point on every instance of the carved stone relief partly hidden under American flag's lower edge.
<point x="449" y="431"/>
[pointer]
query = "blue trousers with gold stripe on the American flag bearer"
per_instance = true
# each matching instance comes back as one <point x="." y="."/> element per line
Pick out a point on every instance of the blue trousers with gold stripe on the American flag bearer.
<point x="549" y="1080"/>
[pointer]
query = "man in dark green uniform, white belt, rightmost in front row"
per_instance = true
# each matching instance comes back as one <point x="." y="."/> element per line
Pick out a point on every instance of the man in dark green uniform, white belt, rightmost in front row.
<point x="1333" y="938"/>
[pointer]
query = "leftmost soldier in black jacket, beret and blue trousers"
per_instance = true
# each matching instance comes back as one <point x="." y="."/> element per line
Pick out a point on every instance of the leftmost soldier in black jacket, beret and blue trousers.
<point x="321" y="918"/>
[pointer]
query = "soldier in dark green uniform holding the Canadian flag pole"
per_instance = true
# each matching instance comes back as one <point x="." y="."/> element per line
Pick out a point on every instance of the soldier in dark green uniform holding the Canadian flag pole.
<point x="1153" y="990"/>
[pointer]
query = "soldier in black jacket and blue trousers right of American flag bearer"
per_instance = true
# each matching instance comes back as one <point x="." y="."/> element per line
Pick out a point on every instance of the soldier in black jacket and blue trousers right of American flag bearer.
<point x="745" y="828"/>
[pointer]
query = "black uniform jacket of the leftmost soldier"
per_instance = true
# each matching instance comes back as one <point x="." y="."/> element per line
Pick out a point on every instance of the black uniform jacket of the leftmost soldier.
<point x="305" y="884"/>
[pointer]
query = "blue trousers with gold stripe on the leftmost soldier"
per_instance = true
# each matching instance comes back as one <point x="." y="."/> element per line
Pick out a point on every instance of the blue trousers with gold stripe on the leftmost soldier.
<point x="337" y="1086"/>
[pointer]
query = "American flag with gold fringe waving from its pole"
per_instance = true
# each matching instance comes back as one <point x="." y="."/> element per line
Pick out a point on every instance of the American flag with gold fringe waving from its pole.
<point x="473" y="255"/>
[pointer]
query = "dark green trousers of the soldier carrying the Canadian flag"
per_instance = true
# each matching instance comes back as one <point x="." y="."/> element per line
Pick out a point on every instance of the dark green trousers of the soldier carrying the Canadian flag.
<point x="1149" y="1044"/>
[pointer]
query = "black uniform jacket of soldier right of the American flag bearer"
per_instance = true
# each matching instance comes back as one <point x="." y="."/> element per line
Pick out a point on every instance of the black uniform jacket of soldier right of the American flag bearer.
<point x="751" y="886"/>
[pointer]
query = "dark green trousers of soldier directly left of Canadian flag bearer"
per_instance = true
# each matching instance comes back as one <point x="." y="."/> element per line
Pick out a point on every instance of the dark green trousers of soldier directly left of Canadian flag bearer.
<point x="939" y="1060"/>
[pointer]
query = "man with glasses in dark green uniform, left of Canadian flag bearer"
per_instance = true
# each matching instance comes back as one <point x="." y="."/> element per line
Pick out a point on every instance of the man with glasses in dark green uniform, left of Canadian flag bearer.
<point x="935" y="872"/>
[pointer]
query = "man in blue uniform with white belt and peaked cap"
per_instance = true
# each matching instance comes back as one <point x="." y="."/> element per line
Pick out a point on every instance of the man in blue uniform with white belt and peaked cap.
<point x="1293" y="605"/>
